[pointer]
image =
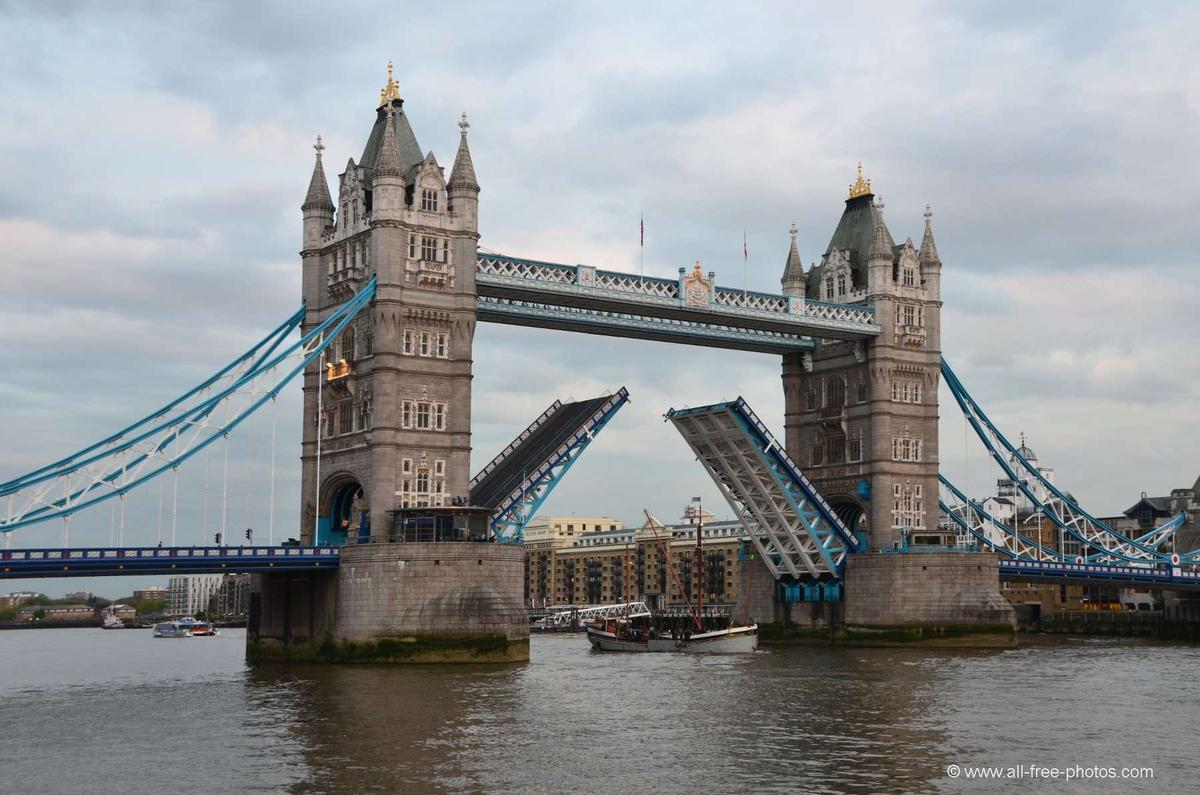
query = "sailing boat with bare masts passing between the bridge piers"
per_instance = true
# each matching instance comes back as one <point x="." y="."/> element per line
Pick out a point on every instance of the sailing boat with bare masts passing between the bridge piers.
<point x="635" y="630"/>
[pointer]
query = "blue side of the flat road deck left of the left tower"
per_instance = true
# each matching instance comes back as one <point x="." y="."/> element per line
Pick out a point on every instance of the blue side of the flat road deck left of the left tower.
<point x="17" y="564"/>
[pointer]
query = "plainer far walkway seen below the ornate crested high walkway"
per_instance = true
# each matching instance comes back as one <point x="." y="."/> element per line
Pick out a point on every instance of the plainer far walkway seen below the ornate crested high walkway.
<point x="595" y="321"/>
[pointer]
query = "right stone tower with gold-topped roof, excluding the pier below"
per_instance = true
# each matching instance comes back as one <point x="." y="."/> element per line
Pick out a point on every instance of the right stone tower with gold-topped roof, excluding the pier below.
<point x="861" y="419"/>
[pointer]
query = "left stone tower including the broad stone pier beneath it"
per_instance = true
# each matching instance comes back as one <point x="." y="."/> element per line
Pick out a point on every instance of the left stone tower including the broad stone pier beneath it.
<point x="386" y="462"/>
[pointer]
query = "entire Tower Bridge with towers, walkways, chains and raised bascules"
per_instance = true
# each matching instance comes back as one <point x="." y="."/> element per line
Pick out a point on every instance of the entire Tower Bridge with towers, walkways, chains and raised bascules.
<point x="404" y="555"/>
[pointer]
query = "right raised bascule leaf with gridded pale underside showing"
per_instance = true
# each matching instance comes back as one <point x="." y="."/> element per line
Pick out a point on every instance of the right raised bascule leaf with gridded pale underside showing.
<point x="791" y="525"/>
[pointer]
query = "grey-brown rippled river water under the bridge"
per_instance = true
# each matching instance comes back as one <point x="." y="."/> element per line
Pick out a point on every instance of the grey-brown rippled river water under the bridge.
<point x="87" y="710"/>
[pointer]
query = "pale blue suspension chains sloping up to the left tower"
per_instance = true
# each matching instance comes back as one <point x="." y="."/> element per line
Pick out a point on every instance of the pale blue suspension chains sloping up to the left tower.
<point x="110" y="482"/>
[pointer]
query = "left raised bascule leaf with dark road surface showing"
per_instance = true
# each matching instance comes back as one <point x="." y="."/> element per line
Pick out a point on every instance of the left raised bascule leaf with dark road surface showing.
<point x="518" y="481"/>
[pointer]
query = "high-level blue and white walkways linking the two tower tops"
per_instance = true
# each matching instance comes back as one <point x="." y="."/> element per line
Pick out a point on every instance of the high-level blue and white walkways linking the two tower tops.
<point x="689" y="310"/>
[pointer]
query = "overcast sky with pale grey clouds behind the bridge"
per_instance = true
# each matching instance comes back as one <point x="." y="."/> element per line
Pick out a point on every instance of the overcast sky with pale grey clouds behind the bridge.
<point x="154" y="158"/>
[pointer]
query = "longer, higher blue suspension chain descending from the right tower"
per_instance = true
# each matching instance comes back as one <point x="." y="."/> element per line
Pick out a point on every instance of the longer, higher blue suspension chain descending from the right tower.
<point x="1076" y="522"/>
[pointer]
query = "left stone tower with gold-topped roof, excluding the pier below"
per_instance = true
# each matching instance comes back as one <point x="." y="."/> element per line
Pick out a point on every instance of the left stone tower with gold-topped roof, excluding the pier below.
<point x="389" y="411"/>
